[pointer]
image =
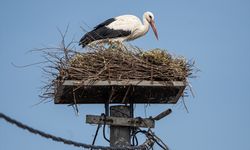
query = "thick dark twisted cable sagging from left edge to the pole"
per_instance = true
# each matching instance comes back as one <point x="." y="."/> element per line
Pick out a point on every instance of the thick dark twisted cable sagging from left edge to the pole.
<point x="145" y="146"/>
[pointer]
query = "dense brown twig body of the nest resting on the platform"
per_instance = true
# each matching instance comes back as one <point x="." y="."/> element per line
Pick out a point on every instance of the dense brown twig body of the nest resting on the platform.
<point x="116" y="61"/>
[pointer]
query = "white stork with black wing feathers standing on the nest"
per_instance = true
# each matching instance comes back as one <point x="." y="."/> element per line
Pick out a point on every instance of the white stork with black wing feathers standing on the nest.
<point x="121" y="28"/>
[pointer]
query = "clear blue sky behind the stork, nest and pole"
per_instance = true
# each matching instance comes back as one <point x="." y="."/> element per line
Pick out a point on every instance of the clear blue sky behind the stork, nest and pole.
<point x="215" y="33"/>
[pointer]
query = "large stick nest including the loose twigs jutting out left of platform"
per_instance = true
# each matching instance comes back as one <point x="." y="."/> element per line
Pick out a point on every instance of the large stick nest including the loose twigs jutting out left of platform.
<point x="113" y="61"/>
